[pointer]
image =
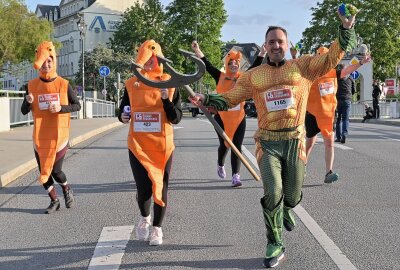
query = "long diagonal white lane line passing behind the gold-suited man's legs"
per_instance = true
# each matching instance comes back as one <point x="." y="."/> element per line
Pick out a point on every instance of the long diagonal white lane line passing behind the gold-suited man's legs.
<point x="327" y="244"/>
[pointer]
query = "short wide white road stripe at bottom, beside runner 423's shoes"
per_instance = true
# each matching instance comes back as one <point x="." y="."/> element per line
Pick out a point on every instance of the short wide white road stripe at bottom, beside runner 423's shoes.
<point x="110" y="248"/>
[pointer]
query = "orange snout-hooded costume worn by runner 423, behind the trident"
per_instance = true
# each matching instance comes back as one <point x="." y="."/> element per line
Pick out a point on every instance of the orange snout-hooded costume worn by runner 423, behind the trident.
<point x="150" y="136"/>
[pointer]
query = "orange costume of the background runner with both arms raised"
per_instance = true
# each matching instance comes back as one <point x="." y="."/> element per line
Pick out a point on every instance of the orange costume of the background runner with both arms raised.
<point x="233" y="117"/>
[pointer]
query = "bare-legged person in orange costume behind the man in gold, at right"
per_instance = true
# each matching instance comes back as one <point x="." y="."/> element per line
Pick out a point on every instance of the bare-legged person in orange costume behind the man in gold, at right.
<point x="321" y="107"/>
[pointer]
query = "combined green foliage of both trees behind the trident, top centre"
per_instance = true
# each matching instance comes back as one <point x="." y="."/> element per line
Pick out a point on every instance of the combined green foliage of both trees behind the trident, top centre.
<point x="175" y="27"/>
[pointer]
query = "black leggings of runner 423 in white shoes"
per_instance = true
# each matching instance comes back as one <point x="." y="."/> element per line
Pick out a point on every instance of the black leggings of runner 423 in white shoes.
<point x="144" y="190"/>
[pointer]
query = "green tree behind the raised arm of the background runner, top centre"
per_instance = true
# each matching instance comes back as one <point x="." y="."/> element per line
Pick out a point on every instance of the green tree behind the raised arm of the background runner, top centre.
<point x="195" y="19"/>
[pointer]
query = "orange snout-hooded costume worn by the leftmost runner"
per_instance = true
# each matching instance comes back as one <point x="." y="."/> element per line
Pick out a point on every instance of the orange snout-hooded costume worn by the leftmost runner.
<point x="51" y="130"/>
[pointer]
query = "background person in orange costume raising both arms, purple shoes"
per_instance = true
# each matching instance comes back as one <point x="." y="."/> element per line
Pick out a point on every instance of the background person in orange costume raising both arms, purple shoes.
<point x="233" y="122"/>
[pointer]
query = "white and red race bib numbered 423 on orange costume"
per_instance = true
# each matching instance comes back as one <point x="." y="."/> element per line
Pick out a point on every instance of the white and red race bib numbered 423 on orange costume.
<point x="147" y="122"/>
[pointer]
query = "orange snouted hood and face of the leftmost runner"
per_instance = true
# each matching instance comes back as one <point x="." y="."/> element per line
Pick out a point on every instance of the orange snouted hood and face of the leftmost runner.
<point x="46" y="60"/>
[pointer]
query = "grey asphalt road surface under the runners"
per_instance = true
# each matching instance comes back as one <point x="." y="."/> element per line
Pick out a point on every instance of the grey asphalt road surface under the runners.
<point x="351" y="224"/>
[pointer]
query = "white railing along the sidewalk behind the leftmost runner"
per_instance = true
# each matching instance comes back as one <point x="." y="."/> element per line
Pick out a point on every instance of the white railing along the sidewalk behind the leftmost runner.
<point x="10" y="109"/>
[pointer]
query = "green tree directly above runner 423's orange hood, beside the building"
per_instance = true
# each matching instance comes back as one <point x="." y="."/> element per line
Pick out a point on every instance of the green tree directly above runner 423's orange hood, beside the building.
<point x="139" y="23"/>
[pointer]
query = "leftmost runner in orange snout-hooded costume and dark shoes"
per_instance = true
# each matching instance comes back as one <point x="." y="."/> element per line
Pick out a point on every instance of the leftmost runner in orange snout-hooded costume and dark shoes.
<point x="51" y="100"/>
